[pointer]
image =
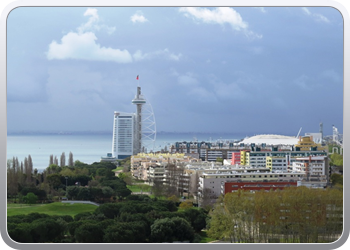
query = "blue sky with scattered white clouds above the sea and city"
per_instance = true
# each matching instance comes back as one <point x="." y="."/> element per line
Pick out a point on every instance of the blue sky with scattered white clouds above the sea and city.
<point x="249" y="70"/>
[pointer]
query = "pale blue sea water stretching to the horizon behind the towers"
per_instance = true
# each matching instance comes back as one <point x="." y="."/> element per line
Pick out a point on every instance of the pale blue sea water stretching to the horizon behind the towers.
<point x="88" y="148"/>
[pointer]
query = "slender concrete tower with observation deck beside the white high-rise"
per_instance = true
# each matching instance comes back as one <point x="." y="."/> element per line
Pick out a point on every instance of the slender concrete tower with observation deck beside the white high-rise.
<point x="138" y="101"/>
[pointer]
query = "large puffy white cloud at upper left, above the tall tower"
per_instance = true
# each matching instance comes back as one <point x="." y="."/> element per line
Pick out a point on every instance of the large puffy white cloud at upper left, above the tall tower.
<point x="83" y="46"/>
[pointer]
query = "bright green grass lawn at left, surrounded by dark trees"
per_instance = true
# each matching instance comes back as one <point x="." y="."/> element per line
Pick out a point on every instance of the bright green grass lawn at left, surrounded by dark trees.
<point x="56" y="208"/>
